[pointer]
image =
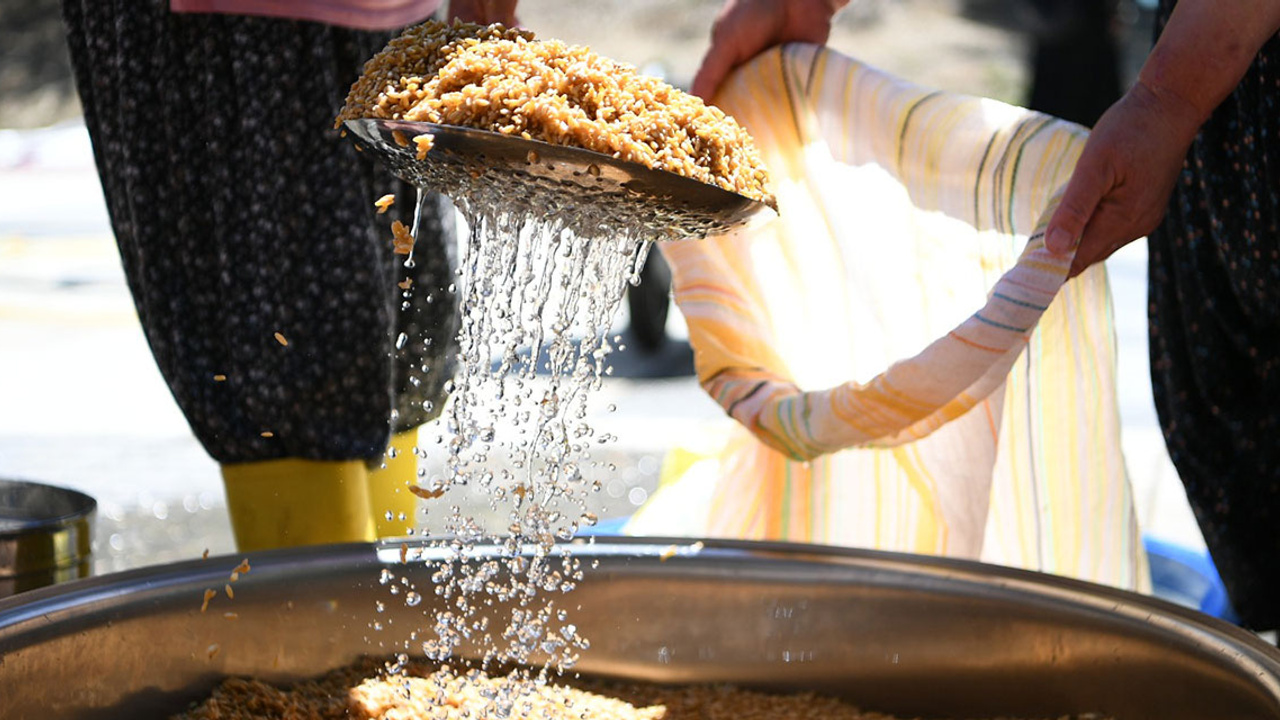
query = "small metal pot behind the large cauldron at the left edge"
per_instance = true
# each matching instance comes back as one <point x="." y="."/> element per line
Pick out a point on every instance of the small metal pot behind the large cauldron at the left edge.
<point x="47" y="536"/>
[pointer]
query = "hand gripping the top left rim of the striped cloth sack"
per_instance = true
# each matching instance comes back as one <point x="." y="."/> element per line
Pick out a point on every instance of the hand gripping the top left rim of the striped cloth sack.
<point x="744" y="29"/>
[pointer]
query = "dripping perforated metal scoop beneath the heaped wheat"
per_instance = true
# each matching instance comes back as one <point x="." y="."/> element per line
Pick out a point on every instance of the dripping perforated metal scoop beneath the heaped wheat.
<point x="556" y="180"/>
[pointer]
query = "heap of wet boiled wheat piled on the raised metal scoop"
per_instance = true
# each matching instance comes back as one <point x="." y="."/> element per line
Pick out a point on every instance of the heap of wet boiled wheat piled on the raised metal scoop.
<point x="508" y="81"/>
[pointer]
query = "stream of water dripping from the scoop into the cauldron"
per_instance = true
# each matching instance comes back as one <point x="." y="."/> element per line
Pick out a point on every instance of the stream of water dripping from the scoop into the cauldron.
<point x="537" y="295"/>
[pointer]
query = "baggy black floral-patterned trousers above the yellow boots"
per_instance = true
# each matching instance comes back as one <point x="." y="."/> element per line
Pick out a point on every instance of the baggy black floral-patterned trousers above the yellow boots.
<point x="241" y="215"/>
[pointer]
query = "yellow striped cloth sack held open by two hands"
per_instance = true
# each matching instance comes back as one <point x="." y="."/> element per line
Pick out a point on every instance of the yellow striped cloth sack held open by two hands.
<point x="907" y="368"/>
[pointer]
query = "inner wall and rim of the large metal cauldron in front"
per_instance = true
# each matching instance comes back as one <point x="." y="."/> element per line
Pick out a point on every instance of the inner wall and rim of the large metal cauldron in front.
<point x="897" y="634"/>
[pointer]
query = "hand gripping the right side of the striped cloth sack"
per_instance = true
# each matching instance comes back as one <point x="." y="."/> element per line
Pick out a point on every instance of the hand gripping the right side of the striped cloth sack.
<point x="1122" y="183"/>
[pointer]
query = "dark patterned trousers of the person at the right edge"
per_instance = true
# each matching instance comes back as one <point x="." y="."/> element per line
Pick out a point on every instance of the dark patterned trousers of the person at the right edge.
<point x="1215" y="336"/>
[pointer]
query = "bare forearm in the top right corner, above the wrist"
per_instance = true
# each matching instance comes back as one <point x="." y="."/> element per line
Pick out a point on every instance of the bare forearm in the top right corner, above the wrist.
<point x="1205" y="51"/>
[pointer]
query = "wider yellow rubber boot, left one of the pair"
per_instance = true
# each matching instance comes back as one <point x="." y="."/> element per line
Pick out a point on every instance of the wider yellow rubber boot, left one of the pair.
<point x="291" y="503"/>
